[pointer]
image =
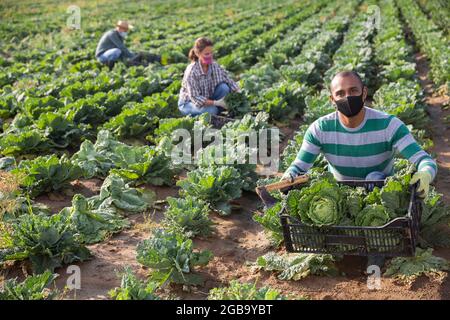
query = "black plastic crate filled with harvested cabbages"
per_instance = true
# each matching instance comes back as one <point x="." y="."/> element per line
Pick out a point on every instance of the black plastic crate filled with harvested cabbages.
<point x="396" y="238"/>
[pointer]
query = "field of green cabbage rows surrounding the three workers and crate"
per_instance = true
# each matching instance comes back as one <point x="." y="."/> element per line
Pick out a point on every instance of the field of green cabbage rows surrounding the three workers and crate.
<point x="87" y="177"/>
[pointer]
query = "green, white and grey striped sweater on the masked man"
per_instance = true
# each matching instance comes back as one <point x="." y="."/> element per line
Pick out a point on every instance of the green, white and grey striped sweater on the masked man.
<point x="353" y="153"/>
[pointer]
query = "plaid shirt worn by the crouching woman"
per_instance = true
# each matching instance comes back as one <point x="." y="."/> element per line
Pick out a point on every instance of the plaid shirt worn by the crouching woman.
<point x="198" y="86"/>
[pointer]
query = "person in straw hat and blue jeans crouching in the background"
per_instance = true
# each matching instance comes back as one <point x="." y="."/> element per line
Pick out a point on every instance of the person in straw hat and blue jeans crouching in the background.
<point x="111" y="47"/>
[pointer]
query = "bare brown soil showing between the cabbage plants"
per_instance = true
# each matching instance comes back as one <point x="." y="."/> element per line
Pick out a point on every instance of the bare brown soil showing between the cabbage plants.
<point x="237" y="239"/>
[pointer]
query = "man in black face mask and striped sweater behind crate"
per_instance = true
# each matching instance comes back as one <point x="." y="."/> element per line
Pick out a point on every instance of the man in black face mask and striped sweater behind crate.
<point x="360" y="142"/>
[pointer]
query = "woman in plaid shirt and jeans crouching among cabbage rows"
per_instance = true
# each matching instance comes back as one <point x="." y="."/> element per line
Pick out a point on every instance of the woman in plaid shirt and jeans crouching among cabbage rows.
<point x="205" y="83"/>
